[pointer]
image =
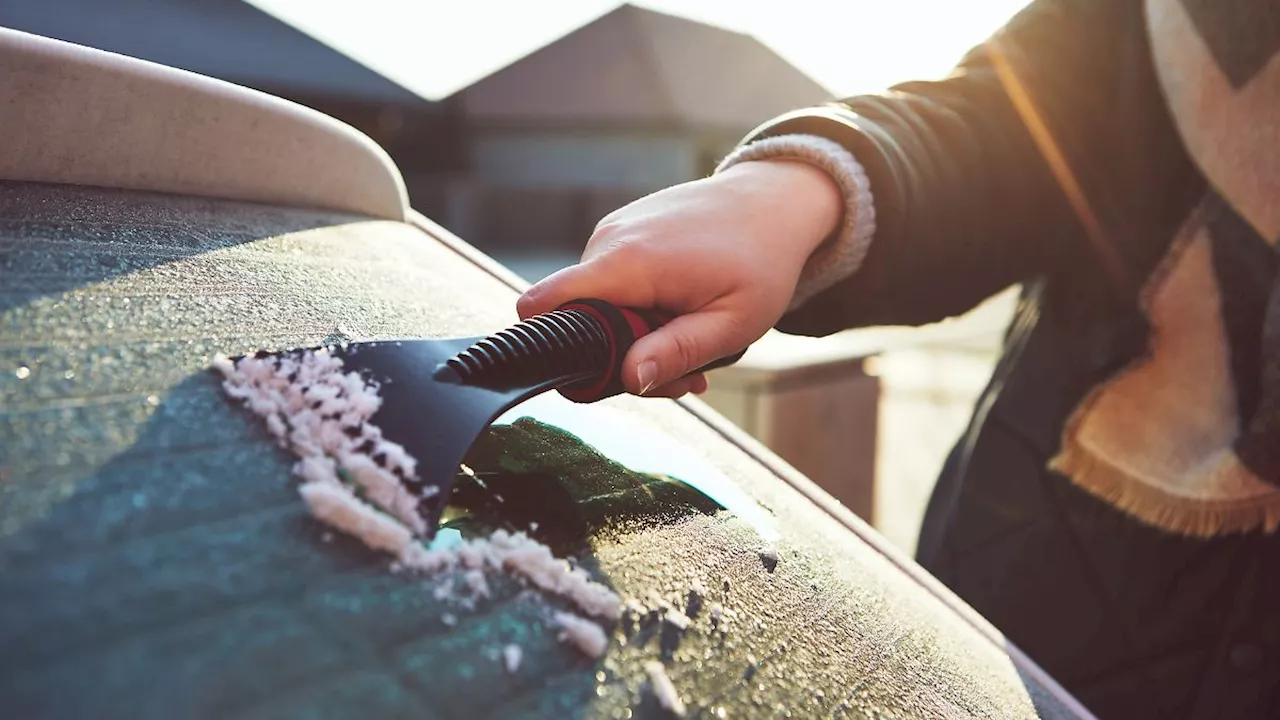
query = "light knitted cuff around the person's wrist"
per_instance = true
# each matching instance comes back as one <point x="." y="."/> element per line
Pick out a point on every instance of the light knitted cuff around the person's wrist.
<point x="843" y="254"/>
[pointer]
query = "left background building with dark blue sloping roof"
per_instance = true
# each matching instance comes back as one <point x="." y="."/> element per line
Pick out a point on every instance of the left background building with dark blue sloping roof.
<point x="235" y="42"/>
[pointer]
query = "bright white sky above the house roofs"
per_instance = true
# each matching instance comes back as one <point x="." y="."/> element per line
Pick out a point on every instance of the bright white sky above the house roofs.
<point x="437" y="48"/>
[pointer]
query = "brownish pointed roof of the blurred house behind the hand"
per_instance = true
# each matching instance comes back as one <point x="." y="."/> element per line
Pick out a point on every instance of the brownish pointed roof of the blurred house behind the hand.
<point x="639" y="66"/>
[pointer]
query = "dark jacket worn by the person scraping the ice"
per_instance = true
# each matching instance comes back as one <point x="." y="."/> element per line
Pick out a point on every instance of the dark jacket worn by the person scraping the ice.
<point x="1050" y="160"/>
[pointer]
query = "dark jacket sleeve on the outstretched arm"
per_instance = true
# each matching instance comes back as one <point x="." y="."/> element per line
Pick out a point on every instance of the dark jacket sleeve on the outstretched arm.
<point x="1028" y="161"/>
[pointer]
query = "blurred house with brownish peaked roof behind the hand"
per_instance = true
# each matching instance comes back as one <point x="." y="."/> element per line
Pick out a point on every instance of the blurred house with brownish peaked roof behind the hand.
<point x="625" y="106"/>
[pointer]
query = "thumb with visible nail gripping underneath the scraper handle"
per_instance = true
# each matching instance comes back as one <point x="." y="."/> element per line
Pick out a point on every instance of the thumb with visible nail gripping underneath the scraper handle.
<point x="680" y="348"/>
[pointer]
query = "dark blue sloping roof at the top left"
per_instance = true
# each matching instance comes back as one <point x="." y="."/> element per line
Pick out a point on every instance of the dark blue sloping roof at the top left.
<point x="226" y="39"/>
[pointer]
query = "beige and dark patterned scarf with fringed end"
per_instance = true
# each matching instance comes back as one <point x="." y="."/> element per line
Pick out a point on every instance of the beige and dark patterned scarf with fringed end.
<point x="1188" y="436"/>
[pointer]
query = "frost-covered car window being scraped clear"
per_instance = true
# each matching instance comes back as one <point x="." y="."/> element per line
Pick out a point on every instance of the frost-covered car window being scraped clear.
<point x="156" y="560"/>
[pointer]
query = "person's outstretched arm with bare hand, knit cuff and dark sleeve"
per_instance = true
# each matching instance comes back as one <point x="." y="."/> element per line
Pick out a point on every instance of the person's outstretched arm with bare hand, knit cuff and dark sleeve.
<point x="961" y="197"/>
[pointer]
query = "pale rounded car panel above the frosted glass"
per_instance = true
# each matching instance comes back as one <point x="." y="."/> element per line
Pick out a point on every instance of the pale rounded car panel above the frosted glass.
<point x="85" y="116"/>
